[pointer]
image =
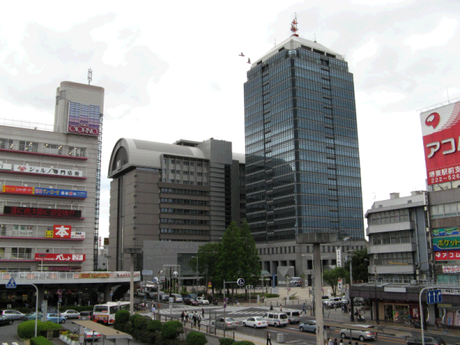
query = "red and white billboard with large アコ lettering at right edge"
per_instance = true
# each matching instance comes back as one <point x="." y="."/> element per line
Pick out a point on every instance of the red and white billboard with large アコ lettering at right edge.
<point x="440" y="130"/>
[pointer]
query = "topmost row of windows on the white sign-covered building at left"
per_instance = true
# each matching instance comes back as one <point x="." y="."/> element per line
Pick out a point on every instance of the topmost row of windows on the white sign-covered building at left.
<point x="39" y="147"/>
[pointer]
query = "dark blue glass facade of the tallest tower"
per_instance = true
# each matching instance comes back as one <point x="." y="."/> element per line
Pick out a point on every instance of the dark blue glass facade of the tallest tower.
<point x="302" y="158"/>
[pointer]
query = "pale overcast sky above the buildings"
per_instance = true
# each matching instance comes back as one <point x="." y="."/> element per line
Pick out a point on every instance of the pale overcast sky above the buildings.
<point x="172" y="70"/>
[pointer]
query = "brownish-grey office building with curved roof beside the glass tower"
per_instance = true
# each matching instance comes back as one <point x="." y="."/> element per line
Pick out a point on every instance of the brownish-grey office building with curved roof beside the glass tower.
<point x="183" y="192"/>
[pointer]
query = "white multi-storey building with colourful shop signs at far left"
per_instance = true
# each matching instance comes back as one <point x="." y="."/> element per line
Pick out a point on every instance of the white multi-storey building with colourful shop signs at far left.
<point x="49" y="185"/>
